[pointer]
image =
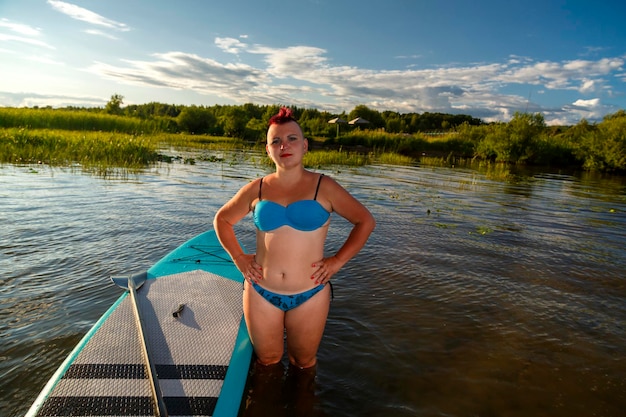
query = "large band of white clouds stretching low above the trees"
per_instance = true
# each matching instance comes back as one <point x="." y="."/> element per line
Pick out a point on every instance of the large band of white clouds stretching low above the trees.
<point x="304" y="76"/>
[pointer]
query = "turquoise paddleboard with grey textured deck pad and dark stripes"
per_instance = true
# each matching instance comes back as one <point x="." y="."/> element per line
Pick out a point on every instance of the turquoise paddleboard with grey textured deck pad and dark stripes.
<point x="192" y="318"/>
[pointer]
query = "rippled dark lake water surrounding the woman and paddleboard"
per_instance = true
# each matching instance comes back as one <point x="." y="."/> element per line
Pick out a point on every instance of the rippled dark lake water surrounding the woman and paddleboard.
<point x="477" y="294"/>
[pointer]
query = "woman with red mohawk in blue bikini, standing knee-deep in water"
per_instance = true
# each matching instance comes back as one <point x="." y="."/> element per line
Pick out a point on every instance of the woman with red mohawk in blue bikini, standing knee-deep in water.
<point x="285" y="287"/>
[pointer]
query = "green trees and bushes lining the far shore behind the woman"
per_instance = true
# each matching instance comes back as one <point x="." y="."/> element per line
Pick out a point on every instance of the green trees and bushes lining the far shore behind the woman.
<point x="525" y="139"/>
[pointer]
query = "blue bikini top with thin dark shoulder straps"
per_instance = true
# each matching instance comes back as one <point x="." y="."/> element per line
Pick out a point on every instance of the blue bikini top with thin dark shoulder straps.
<point x="303" y="215"/>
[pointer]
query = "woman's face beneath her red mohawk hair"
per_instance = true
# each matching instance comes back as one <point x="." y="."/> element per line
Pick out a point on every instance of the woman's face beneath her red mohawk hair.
<point x="285" y="143"/>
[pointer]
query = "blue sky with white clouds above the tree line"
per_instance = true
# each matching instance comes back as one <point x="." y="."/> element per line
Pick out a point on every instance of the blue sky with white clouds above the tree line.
<point x="489" y="59"/>
